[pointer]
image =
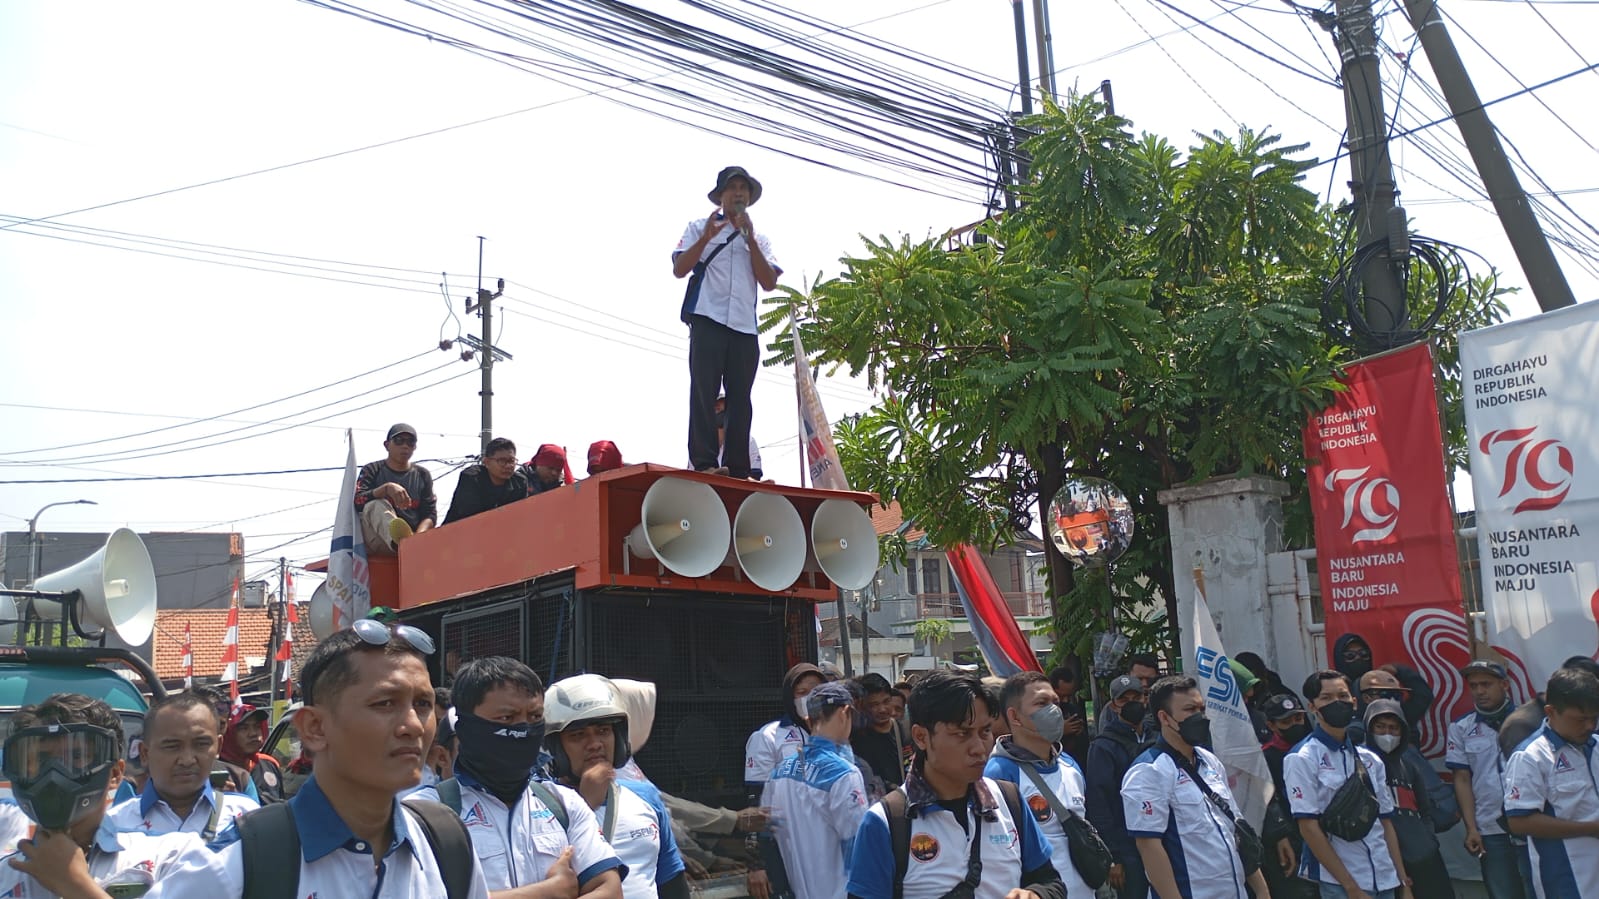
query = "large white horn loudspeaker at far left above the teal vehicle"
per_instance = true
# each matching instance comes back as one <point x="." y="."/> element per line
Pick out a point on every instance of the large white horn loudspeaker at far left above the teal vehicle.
<point x="116" y="588"/>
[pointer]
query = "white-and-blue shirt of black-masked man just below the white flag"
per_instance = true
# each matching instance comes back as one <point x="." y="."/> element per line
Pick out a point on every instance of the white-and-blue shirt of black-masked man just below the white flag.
<point x="1163" y="802"/>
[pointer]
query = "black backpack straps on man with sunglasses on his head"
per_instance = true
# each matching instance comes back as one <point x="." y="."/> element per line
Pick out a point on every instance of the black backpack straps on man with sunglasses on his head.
<point x="273" y="852"/>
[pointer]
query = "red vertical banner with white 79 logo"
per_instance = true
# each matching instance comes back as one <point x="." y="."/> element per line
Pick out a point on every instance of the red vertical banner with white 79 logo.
<point x="1386" y="533"/>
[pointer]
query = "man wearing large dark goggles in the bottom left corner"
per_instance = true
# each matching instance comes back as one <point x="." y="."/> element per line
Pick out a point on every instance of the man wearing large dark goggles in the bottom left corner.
<point x="65" y="764"/>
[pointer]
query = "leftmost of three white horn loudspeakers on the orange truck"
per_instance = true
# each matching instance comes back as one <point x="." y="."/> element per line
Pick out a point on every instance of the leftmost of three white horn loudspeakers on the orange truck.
<point x="684" y="525"/>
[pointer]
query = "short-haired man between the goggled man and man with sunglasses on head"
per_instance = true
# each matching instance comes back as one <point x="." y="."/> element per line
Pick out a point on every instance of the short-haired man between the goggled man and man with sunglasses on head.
<point x="180" y="753"/>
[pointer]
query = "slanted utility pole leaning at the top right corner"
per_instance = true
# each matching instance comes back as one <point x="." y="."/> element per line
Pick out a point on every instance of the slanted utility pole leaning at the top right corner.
<point x="1510" y="202"/>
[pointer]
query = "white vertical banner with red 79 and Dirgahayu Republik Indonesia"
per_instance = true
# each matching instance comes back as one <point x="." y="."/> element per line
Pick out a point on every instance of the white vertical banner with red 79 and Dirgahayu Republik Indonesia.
<point x="1529" y="393"/>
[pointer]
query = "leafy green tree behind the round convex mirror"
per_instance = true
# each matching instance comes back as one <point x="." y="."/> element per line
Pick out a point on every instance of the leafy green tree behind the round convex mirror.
<point x="1147" y="316"/>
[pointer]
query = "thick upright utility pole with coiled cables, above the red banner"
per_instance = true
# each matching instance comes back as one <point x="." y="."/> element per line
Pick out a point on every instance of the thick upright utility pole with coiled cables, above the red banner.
<point x="1373" y="178"/>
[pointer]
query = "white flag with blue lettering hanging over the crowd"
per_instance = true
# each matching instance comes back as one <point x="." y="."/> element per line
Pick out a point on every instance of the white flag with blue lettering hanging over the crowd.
<point x="1232" y="735"/>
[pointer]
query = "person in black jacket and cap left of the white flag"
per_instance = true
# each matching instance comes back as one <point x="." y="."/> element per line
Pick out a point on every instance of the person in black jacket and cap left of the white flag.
<point x="1111" y="754"/>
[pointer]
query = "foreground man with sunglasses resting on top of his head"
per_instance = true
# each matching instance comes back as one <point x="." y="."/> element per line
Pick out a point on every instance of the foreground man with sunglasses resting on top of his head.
<point x="370" y="719"/>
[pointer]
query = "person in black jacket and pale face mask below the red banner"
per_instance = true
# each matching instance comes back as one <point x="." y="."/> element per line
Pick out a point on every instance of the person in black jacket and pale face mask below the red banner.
<point x="1424" y="805"/>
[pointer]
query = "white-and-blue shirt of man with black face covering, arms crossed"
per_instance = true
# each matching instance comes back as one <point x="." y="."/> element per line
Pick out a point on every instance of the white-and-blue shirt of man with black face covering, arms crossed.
<point x="519" y="845"/>
